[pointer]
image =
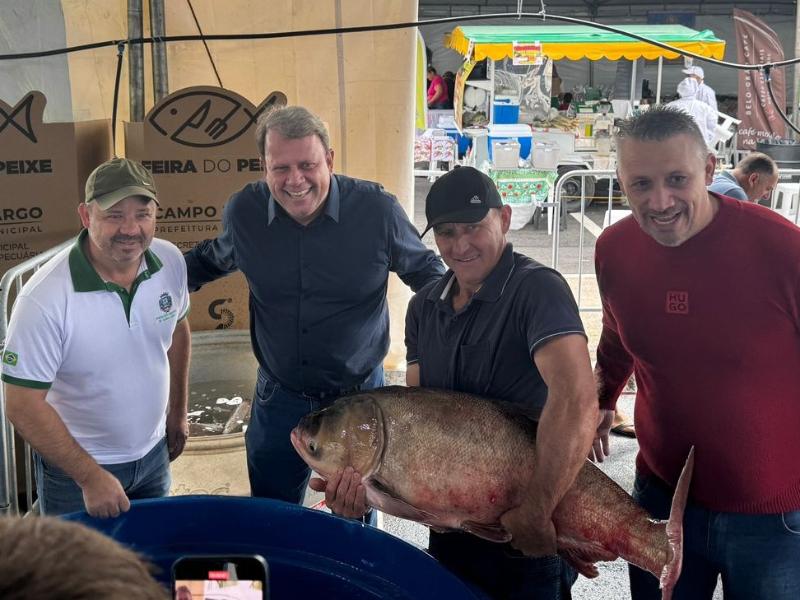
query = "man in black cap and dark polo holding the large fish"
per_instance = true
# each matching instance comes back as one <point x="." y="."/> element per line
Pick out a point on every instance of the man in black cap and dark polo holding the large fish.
<point x="503" y="326"/>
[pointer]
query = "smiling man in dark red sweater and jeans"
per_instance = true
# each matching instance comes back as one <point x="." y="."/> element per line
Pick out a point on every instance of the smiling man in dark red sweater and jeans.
<point x="701" y="301"/>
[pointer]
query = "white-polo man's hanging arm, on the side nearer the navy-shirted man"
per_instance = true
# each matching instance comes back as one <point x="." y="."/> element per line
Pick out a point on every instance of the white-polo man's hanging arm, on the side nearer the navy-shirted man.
<point x="178" y="357"/>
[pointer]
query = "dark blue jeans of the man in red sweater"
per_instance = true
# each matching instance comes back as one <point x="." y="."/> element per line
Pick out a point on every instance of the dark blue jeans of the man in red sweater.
<point x="758" y="556"/>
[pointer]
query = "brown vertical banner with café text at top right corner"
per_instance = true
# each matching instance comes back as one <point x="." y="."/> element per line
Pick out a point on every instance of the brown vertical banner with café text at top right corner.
<point x="756" y="43"/>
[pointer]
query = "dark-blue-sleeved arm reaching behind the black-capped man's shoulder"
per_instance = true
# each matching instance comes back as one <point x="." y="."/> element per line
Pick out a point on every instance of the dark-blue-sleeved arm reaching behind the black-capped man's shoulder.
<point x="410" y="259"/>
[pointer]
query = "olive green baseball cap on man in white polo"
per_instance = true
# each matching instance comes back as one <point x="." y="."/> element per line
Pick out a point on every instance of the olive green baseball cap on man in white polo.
<point x="118" y="179"/>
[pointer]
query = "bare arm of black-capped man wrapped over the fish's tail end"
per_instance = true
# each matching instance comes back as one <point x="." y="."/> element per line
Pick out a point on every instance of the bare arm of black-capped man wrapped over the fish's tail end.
<point x="564" y="434"/>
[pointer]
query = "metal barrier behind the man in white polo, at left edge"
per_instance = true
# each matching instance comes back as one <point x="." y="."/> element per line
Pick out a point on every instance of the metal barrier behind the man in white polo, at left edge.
<point x="9" y="492"/>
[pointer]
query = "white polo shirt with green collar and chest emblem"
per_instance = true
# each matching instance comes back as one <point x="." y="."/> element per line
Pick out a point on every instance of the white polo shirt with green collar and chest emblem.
<point x="100" y="351"/>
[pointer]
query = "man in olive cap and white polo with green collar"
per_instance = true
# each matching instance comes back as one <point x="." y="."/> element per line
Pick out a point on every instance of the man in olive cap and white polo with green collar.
<point x="96" y="361"/>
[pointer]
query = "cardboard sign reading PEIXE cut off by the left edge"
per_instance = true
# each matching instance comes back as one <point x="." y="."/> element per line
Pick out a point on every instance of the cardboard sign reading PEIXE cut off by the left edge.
<point x="43" y="169"/>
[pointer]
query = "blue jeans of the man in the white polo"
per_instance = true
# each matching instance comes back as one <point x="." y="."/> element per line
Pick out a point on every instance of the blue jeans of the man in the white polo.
<point x="147" y="477"/>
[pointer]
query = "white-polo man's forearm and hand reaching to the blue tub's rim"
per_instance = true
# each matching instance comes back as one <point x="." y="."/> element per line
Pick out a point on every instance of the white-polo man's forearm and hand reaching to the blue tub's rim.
<point x="41" y="426"/>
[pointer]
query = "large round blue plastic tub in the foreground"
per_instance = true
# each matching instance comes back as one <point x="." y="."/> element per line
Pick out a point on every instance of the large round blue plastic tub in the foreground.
<point x="310" y="554"/>
